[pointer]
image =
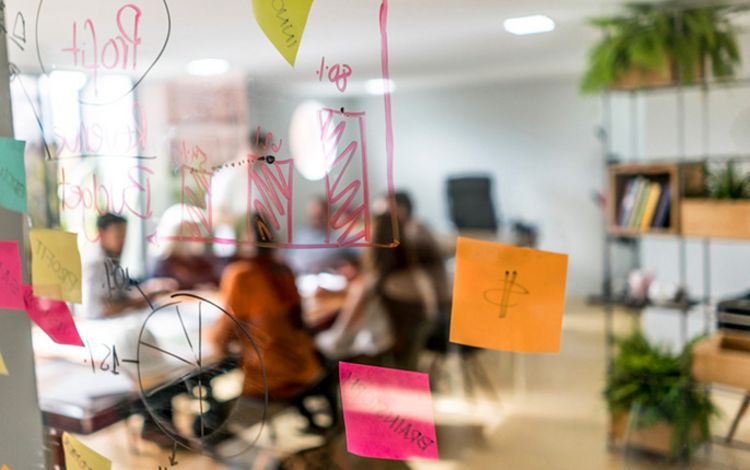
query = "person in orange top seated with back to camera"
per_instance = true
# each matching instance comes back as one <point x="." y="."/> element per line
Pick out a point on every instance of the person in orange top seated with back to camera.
<point x="262" y="295"/>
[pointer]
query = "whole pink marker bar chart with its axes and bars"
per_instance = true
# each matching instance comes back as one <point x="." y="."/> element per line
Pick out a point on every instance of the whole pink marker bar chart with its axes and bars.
<point x="271" y="182"/>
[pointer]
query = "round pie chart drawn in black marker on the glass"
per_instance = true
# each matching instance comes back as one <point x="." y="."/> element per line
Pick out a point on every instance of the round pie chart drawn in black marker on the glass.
<point x="189" y="372"/>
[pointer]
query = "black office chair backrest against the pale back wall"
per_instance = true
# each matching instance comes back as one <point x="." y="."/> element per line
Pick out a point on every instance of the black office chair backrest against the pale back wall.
<point x="470" y="202"/>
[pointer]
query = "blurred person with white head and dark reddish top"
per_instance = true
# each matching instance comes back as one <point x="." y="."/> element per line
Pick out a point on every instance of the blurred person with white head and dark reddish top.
<point x="185" y="261"/>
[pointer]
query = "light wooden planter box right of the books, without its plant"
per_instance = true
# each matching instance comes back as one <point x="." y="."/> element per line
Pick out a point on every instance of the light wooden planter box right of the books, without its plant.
<point x="716" y="218"/>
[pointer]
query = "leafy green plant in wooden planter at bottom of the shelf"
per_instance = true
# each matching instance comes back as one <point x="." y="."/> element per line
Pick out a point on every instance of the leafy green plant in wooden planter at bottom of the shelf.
<point x="654" y="402"/>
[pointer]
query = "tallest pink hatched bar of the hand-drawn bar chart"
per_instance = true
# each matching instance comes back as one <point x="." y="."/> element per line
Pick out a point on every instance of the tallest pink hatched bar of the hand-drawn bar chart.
<point x="346" y="186"/>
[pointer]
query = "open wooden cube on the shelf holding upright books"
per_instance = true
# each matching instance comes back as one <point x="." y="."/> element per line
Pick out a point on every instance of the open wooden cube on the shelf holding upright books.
<point x="676" y="178"/>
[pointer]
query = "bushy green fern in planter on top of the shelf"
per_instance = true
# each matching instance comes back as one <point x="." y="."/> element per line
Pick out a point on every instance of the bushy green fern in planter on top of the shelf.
<point x="659" y="44"/>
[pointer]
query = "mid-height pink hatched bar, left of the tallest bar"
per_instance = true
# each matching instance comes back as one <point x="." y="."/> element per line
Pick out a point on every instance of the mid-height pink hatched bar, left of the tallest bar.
<point x="270" y="196"/>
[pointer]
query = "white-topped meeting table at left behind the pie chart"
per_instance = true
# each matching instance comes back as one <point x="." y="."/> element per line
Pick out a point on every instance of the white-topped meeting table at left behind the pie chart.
<point x="85" y="389"/>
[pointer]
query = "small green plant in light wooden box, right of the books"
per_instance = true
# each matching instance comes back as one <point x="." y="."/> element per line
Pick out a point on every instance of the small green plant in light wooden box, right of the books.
<point x="724" y="212"/>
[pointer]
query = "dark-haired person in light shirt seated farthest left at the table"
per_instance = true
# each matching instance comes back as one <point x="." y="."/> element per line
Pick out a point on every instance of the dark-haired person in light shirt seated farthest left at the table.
<point x="106" y="289"/>
